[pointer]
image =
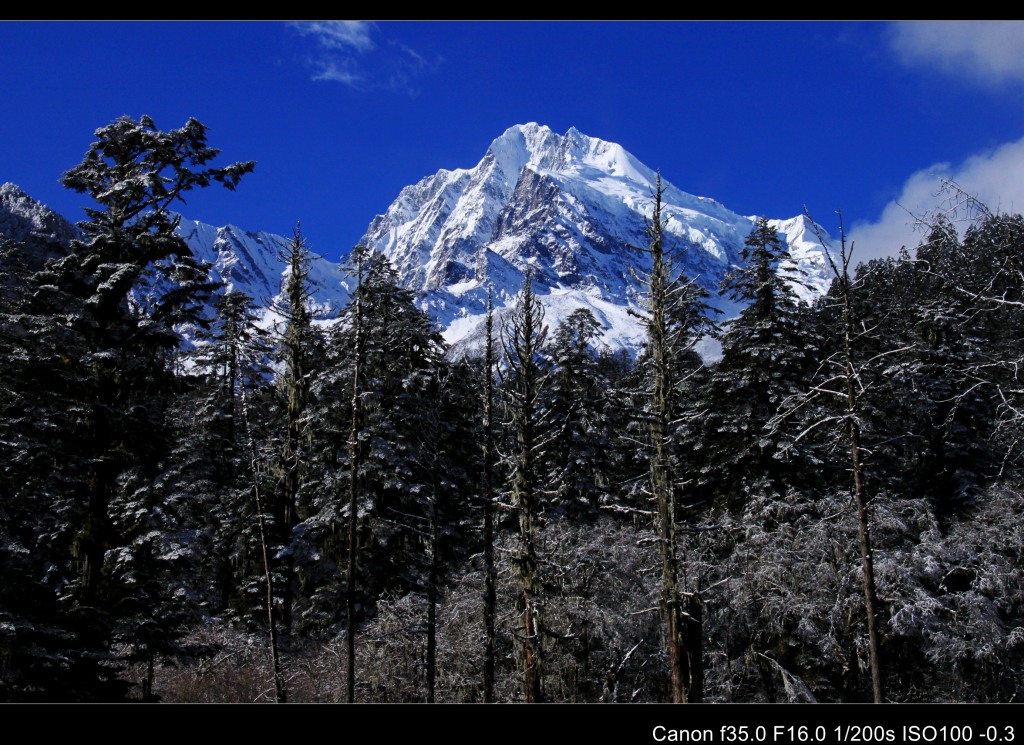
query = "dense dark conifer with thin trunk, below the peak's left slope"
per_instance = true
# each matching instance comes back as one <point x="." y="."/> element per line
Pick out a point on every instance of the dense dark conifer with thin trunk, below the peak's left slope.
<point x="374" y="404"/>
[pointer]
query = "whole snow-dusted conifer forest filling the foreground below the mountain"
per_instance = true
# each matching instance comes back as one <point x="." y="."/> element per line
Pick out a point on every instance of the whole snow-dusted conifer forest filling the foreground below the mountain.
<point x="329" y="513"/>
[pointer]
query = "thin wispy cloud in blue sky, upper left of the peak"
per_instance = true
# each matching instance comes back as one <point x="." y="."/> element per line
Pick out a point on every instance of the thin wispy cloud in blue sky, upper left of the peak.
<point x="348" y="53"/>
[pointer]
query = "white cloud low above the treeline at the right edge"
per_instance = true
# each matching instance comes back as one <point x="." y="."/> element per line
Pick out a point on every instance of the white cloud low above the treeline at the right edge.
<point x="995" y="179"/>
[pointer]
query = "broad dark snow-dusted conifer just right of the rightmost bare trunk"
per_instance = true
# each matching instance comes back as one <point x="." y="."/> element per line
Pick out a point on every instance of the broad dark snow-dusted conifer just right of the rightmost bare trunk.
<point x="930" y="435"/>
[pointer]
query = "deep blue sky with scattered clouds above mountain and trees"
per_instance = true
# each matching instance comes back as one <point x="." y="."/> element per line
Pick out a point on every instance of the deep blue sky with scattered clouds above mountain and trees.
<point x="763" y="117"/>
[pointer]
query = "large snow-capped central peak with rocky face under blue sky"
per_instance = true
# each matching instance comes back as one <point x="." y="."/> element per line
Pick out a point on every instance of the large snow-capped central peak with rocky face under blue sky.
<point x="572" y="206"/>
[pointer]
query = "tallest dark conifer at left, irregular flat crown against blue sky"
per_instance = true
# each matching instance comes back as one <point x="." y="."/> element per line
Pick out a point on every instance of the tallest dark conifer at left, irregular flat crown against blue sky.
<point x="118" y="297"/>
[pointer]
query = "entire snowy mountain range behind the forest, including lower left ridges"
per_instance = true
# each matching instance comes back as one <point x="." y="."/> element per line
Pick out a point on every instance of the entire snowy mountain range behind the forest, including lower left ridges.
<point x="573" y="207"/>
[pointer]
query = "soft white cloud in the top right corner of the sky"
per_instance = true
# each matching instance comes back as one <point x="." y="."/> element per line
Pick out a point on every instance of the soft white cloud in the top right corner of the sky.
<point x="985" y="51"/>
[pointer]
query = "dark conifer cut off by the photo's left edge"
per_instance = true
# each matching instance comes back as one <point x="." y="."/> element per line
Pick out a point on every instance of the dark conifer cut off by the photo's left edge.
<point x="52" y="652"/>
